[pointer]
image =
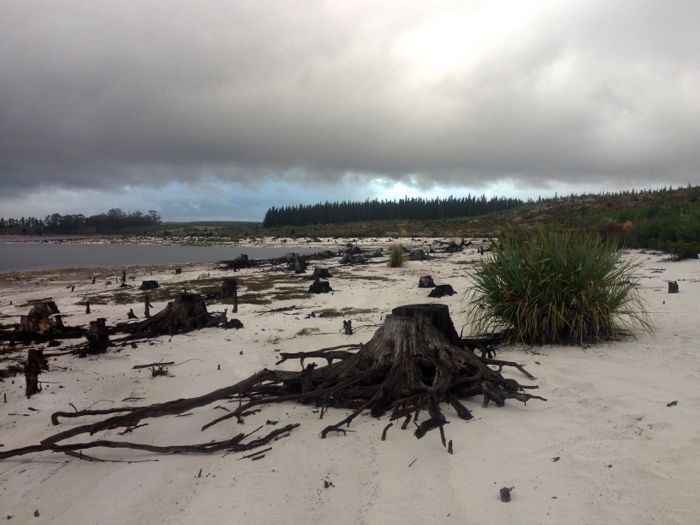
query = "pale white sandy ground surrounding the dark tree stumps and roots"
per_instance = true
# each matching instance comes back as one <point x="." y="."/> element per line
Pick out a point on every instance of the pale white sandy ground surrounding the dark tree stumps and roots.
<point x="604" y="448"/>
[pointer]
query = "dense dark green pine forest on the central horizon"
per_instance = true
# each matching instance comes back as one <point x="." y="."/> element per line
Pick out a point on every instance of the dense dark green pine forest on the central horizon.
<point x="374" y="210"/>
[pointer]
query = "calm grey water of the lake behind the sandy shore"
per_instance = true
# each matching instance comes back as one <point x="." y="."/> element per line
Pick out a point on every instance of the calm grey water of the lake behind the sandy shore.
<point x="16" y="256"/>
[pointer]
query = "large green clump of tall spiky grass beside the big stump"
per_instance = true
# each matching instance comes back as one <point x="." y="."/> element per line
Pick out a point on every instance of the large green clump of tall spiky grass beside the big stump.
<point x="545" y="286"/>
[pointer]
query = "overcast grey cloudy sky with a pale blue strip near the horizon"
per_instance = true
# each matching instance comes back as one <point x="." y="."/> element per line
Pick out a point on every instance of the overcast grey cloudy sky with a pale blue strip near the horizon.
<point x="221" y="109"/>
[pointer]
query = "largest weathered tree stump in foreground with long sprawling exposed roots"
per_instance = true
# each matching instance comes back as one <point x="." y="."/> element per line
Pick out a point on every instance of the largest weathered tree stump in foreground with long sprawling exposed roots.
<point x="412" y="364"/>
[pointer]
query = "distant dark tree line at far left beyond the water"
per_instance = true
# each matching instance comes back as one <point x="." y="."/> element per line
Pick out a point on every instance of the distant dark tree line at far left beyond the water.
<point x="113" y="220"/>
